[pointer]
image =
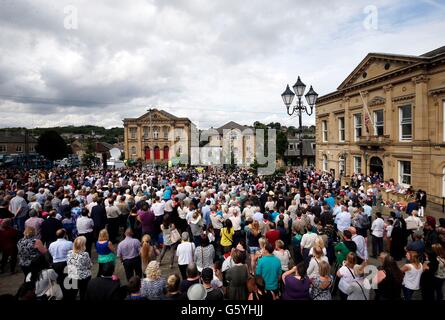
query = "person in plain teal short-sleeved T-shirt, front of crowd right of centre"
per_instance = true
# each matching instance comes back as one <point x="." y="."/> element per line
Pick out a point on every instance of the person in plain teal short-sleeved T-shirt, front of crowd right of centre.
<point x="269" y="267"/>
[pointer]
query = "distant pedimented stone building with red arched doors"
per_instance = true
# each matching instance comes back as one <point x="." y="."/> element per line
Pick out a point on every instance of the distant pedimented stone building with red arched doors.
<point x="157" y="137"/>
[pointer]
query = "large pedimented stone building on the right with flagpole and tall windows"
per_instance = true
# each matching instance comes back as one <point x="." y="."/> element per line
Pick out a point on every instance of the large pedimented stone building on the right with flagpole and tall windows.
<point x="403" y="134"/>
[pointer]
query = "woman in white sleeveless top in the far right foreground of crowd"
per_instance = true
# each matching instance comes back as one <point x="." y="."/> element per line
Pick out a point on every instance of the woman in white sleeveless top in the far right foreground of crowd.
<point x="413" y="271"/>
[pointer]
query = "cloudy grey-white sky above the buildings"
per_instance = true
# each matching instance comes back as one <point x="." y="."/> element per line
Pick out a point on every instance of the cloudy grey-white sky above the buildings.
<point x="97" y="62"/>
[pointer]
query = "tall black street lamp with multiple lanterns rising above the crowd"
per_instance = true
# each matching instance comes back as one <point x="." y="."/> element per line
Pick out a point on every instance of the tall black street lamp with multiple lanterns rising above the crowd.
<point x="311" y="98"/>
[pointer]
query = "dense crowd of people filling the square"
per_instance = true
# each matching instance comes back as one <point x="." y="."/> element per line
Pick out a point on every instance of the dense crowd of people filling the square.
<point x="230" y="234"/>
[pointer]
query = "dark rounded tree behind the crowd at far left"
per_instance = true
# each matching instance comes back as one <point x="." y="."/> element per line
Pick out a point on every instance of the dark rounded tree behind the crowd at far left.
<point x="52" y="146"/>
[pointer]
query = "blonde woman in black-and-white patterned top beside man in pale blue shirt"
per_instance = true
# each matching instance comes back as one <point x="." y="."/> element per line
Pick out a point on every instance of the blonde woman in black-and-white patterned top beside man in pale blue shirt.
<point x="79" y="268"/>
